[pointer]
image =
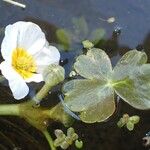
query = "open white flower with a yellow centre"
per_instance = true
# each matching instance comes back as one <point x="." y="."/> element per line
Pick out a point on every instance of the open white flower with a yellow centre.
<point x="26" y="53"/>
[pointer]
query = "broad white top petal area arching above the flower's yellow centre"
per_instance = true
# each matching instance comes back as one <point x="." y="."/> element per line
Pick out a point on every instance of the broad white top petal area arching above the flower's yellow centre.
<point x="22" y="34"/>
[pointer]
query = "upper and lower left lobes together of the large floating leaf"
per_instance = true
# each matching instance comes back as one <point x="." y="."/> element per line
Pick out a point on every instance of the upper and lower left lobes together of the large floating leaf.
<point x="93" y="96"/>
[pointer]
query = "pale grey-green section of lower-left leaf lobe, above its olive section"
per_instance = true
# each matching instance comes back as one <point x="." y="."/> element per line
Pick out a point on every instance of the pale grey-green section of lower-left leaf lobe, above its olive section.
<point x="82" y="94"/>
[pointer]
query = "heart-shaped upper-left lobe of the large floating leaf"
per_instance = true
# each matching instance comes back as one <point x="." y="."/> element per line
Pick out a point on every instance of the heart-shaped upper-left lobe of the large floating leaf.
<point x="95" y="64"/>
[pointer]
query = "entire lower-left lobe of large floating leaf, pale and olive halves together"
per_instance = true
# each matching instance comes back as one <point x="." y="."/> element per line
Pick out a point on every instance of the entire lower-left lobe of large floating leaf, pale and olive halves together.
<point x="92" y="98"/>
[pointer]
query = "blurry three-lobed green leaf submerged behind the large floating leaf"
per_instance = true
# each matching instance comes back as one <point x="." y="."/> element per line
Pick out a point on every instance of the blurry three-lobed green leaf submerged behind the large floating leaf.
<point x="66" y="38"/>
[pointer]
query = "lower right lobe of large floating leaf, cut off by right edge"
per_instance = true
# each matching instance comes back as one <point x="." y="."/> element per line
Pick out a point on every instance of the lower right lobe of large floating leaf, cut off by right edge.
<point x="135" y="87"/>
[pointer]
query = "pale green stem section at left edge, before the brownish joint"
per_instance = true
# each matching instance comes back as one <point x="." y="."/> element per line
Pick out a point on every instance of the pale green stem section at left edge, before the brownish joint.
<point x="9" y="109"/>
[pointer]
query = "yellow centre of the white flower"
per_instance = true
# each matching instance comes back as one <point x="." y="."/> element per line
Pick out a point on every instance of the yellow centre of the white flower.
<point x="23" y="63"/>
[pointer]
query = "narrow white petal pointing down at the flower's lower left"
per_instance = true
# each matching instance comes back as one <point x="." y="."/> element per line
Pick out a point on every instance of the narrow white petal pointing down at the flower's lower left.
<point x="17" y="85"/>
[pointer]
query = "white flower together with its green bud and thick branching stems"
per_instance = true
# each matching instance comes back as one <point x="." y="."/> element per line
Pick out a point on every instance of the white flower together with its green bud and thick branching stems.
<point x="28" y="57"/>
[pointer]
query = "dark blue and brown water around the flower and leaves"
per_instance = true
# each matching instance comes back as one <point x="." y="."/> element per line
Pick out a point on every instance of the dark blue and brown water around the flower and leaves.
<point x="132" y="16"/>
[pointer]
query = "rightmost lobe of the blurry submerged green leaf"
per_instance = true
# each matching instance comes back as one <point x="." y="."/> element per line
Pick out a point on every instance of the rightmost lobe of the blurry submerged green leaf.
<point x="97" y="35"/>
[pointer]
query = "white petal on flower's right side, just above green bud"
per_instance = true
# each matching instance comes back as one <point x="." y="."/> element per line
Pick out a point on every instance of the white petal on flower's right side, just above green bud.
<point x="47" y="56"/>
